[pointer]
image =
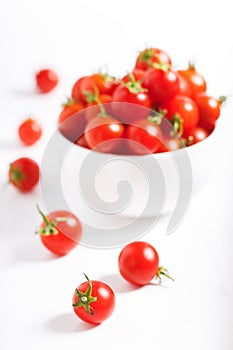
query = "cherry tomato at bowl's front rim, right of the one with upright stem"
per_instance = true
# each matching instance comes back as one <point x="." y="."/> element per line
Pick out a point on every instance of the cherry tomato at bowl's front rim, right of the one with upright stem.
<point x="143" y="137"/>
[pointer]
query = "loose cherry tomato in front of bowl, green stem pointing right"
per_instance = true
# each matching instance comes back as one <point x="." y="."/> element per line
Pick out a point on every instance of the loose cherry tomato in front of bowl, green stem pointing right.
<point x="138" y="263"/>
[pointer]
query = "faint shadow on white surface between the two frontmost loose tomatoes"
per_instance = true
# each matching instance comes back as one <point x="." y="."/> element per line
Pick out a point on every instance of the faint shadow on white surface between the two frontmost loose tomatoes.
<point x="118" y="284"/>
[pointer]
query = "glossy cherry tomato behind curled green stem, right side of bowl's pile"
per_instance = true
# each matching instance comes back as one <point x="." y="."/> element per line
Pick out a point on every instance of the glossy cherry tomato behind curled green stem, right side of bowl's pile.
<point x="185" y="108"/>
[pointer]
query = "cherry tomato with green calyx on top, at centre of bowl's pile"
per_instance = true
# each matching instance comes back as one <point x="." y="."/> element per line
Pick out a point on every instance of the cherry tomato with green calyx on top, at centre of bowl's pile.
<point x="135" y="101"/>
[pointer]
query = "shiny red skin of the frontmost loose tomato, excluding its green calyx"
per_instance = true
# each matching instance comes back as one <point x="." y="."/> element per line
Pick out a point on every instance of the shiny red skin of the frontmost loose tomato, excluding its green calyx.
<point x="102" y="308"/>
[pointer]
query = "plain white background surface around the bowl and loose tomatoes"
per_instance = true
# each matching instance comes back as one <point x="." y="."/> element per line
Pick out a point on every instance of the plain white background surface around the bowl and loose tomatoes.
<point x="77" y="37"/>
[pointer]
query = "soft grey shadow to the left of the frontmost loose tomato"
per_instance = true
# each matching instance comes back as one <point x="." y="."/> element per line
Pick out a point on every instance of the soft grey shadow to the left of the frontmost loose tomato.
<point x="68" y="323"/>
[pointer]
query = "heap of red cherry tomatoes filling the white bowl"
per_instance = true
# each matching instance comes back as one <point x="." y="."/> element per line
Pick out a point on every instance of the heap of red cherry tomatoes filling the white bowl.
<point x="152" y="109"/>
